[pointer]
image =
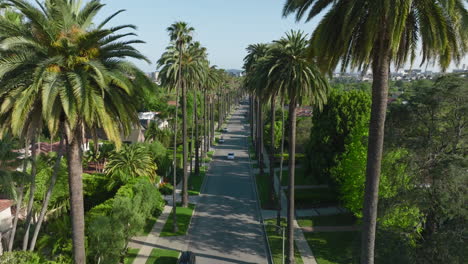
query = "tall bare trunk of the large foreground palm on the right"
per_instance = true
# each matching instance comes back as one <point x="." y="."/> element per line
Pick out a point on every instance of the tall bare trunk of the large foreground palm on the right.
<point x="381" y="69"/>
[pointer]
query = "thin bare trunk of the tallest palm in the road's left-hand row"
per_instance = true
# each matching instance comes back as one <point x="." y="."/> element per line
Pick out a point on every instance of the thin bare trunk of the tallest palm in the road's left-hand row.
<point x="184" y="143"/>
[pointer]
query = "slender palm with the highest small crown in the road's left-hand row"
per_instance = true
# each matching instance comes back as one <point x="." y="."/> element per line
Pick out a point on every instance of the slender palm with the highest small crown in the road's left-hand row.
<point x="181" y="34"/>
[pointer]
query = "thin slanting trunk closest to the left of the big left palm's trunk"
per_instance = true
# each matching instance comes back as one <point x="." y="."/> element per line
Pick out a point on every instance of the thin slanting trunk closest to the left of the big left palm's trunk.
<point x="45" y="203"/>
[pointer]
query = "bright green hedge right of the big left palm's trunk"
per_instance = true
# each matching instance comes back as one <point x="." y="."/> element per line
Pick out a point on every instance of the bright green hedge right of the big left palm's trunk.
<point x="126" y="214"/>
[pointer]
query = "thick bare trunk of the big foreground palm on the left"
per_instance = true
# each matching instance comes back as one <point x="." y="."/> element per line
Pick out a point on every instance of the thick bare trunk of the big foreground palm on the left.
<point x="75" y="171"/>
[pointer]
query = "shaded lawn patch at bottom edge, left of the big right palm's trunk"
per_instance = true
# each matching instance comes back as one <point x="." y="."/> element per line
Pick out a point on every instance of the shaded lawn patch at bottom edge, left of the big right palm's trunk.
<point x="334" y="247"/>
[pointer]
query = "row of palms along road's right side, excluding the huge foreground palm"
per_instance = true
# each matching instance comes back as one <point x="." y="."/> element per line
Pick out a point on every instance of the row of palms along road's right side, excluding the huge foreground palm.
<point x="282" y="70"/>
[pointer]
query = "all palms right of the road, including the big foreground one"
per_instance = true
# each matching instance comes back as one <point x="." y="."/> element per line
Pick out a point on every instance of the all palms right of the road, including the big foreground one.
<point x="358" y="34"/>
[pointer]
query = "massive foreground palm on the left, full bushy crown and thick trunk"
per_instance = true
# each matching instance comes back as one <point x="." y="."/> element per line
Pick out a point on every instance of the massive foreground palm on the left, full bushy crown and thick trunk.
<point x="72" y="70"/>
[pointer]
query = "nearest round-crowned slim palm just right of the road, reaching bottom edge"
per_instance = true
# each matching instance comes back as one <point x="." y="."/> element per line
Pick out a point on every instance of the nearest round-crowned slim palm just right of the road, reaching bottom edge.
<point x="295" y="77"/>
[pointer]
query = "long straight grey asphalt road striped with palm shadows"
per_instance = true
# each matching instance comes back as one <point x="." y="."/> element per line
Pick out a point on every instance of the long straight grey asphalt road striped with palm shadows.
<point x="226" y="228"/>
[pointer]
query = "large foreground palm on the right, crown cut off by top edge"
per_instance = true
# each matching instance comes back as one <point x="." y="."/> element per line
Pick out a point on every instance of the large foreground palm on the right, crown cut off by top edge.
<point x="369" y="33"/>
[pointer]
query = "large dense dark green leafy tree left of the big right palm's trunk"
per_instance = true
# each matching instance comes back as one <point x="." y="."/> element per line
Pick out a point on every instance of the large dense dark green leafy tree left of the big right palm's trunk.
<point x="331" y="128"/>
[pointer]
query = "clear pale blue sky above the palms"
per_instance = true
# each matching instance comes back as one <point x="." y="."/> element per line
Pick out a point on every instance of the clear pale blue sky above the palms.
<point x="224" y="27"/>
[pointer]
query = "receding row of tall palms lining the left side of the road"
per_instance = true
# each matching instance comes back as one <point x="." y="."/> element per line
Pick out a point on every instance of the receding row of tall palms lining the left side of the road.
<point x="184" y="67"/>
